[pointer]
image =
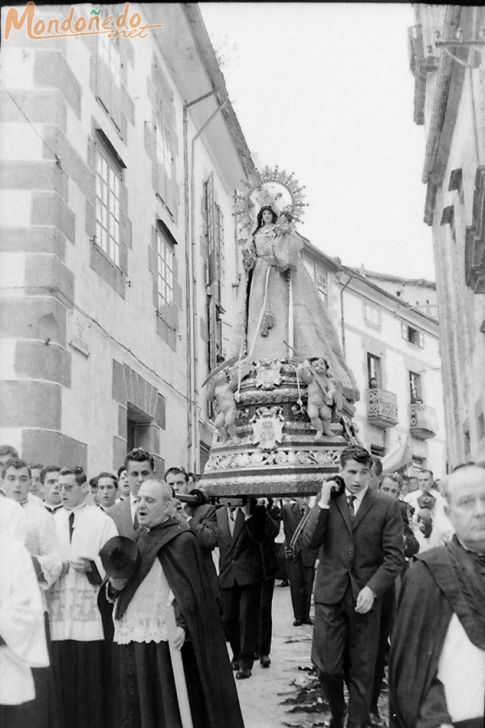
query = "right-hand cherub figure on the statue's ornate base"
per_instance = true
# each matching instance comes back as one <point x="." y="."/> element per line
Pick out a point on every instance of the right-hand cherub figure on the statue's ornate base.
<point x="324" y="398"/>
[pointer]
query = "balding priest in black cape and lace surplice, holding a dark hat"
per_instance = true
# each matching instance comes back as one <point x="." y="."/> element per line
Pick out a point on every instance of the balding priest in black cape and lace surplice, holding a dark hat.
<point x="170" y="659"/>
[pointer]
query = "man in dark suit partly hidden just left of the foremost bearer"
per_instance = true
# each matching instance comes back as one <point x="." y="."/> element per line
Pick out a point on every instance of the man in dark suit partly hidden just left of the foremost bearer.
<point x="300" y="562"/>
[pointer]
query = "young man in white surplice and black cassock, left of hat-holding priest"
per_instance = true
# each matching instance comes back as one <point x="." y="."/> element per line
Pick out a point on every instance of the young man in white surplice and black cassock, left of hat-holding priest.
<point x="78" y="646"/>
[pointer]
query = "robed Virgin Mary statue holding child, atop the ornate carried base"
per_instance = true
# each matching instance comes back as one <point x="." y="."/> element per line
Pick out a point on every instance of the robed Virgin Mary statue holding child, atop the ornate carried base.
<point x="280" y="315"/>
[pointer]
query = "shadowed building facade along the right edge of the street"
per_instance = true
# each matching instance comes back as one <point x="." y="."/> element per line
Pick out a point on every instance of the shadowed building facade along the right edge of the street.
<point x="446" y="58"/>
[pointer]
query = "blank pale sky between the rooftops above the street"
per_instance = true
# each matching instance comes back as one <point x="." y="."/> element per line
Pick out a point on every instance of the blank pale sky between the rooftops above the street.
<point x="324" y="91"/>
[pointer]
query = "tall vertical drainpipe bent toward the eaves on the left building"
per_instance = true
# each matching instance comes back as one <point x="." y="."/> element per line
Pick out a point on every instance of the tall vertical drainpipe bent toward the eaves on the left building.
<point x="191" y="279"/>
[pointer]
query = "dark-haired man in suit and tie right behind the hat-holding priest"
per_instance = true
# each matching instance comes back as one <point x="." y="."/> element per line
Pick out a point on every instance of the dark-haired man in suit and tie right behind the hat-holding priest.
<point x="139" y="466"/>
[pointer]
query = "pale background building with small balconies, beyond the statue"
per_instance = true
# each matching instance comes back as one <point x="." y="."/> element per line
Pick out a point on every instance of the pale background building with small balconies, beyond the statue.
<point x="393" y="351"/>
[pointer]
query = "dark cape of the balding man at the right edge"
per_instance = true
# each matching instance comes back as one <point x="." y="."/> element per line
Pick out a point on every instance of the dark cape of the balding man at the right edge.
<point x="443" y="581"/>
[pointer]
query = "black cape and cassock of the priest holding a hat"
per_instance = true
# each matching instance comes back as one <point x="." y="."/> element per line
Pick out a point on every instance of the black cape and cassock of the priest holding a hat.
<point x="143" y="686"/>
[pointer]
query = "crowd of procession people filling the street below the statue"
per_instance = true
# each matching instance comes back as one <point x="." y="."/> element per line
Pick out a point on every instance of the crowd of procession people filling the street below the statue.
<point x="114" y="610"/>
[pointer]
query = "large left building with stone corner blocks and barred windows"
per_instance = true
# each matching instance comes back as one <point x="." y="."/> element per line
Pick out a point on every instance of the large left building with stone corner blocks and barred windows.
<point x="119" y="158"/>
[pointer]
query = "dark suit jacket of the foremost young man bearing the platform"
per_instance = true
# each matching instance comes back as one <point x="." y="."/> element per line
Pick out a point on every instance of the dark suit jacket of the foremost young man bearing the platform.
<point x="368" y="552"/>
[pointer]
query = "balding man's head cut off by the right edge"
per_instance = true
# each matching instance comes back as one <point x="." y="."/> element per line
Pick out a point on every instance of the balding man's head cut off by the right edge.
<point x="465" y="492"/>
